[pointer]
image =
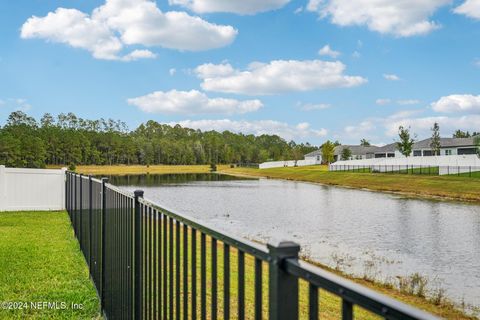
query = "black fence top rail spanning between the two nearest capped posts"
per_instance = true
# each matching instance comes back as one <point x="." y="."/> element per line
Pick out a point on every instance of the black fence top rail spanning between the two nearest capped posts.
<point x="257" y="250"/>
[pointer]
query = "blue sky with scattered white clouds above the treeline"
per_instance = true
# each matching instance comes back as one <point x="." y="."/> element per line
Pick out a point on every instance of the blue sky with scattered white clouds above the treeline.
<point x="307" y="70"/>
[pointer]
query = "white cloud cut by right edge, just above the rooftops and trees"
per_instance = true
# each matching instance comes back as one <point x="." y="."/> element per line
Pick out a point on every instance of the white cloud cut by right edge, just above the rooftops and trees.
<point x="457" y="103"/>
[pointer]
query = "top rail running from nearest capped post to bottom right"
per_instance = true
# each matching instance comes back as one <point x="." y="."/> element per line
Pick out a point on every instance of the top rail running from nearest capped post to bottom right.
<point x="354" y="293"/>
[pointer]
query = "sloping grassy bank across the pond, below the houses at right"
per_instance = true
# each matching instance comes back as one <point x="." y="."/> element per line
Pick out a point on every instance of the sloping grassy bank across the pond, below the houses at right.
<point x="446" y="187"/>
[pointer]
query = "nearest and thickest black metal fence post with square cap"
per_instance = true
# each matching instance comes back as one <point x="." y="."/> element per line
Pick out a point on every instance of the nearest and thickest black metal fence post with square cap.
<point x="283" y="287"/>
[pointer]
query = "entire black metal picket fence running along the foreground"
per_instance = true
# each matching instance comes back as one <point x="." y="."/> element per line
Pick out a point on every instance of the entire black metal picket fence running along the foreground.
<point x="148" y="262"/>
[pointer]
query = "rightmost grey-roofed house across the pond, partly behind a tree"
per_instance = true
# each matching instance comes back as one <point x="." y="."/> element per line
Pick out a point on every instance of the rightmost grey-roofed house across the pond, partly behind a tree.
<point x="448" y="147"/>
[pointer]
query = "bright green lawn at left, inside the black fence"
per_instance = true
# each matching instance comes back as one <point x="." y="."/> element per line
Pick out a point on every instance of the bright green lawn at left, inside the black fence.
<point x="40" y="261"/>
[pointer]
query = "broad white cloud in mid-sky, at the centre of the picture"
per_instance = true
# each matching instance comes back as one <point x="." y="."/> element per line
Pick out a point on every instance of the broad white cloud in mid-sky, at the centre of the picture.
<point x="278" y="76"/>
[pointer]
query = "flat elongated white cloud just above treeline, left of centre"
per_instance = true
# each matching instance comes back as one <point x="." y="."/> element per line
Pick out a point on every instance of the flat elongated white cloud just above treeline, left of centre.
<point x="192" y="102"/>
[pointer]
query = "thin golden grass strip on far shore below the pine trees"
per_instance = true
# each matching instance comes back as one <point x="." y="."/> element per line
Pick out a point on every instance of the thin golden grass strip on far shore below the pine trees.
<point x="139" y="169"/>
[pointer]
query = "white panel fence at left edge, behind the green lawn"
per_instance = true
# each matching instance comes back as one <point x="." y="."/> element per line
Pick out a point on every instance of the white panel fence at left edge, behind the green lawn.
<point x="32" y="189"/>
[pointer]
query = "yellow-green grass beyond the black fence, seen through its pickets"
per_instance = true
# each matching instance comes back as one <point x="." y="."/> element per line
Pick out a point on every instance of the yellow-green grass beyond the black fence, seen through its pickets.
<point x="329" y="305"/>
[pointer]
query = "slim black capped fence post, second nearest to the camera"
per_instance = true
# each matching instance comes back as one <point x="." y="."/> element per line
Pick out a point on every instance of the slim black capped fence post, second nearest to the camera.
<point x="138" y="256"/>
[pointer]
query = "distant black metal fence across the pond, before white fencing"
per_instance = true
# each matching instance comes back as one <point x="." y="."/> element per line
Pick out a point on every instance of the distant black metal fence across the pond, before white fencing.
<point x="463" y="171"/>
